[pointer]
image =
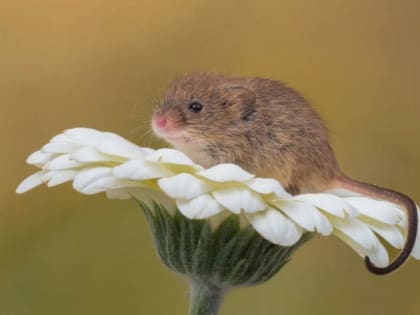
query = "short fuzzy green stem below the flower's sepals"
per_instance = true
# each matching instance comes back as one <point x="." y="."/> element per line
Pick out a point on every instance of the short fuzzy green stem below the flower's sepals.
<point x="205" y="298"/>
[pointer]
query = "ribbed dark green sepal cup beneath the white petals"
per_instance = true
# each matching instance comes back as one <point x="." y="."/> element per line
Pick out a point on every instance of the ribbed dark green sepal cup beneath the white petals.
<point x="224" y="257"/>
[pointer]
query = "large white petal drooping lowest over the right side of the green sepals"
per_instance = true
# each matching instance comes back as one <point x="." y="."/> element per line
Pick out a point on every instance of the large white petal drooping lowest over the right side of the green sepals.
<point x="275" y="227"/>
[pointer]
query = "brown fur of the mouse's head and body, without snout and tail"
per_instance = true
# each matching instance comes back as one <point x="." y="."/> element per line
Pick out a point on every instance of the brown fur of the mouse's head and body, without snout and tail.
<point x="277" y="134"/>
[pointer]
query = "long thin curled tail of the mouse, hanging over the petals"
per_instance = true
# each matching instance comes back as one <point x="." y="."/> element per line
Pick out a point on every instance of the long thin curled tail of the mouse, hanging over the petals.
<point x="392" y="196"/>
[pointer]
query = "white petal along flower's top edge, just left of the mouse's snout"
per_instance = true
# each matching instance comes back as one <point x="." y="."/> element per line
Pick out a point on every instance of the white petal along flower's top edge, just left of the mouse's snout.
<point x="113" y="144"/>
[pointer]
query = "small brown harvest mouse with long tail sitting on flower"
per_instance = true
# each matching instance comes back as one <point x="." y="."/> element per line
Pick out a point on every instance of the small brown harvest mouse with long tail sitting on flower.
<point x="269" y="129"/>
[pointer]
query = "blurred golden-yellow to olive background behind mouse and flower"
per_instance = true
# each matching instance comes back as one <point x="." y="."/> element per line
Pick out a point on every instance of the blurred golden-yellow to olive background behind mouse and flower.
<point x="104" y="64"/>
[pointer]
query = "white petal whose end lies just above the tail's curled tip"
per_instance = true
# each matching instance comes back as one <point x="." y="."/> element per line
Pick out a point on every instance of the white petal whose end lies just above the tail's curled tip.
<point x="359" y="232"/>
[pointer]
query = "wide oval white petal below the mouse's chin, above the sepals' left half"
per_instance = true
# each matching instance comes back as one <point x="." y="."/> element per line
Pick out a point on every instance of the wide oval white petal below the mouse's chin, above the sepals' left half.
<point x="183" y="186"/>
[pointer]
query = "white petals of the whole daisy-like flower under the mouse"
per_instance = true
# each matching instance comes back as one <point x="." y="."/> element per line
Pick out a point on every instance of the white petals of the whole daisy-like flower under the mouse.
<point x="104" y="162"/>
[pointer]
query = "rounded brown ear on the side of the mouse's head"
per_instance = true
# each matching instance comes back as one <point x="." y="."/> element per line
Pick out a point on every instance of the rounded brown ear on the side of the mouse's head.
<point x="242" y="98"/>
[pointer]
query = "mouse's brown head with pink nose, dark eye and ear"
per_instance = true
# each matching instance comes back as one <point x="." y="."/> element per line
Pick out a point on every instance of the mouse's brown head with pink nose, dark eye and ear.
<point x="201" y="108"/>
